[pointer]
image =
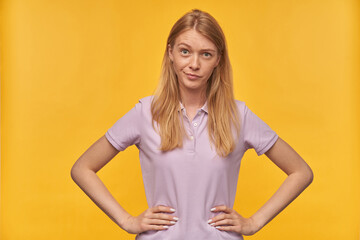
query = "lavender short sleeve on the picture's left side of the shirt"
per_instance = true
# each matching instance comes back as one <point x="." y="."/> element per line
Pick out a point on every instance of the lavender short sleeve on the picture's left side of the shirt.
<point x="126" y="131"/>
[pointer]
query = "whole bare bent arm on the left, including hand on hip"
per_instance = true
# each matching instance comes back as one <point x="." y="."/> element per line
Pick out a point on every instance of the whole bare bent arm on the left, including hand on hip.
<point x="84" y="175"/>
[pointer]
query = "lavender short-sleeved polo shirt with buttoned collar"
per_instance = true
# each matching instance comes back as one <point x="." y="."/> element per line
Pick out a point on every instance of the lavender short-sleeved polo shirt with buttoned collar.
<point x="191" y="179"/>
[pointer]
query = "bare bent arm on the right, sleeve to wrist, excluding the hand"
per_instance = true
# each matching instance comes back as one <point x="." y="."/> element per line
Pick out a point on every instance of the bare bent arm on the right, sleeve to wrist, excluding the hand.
<point x="299" y="177"/>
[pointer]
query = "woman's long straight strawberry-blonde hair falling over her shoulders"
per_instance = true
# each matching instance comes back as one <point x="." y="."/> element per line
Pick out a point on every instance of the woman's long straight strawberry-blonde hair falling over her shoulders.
<point x="222" y="109"/>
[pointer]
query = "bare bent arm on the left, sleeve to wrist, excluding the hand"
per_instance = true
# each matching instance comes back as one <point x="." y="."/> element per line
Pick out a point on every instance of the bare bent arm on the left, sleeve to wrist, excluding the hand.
<point x="84" y="175"/>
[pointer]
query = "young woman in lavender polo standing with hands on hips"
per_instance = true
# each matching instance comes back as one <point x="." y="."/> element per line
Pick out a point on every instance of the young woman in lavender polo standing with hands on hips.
<point x="192" y="135"/>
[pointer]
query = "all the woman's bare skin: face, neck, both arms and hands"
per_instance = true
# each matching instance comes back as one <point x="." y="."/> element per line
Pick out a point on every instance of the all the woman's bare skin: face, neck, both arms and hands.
<point x="189" y="56"/>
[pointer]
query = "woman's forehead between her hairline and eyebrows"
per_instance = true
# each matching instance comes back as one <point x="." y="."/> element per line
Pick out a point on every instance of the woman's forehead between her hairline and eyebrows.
<point x="195" y="40"/>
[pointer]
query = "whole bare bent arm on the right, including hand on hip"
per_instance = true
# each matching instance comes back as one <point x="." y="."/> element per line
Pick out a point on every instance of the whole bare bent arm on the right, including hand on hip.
<point x="299" y="177"/>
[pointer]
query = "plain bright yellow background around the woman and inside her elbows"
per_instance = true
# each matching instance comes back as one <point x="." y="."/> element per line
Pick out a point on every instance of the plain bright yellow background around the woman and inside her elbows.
<point x="70" y="69"/>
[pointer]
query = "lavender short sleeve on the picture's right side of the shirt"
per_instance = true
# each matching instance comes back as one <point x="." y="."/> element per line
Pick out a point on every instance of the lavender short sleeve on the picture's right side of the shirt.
<point x="257" y="134"/>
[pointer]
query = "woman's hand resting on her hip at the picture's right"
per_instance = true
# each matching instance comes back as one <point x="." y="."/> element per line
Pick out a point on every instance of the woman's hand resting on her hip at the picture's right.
<point x="233" y="221"/>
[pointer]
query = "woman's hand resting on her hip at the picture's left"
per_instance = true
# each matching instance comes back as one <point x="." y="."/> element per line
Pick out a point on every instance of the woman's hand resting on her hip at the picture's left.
<point x="151" y="219"/>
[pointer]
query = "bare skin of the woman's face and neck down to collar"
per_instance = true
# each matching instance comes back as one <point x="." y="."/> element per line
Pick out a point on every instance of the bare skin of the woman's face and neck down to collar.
<point x="195" y="54"/>
